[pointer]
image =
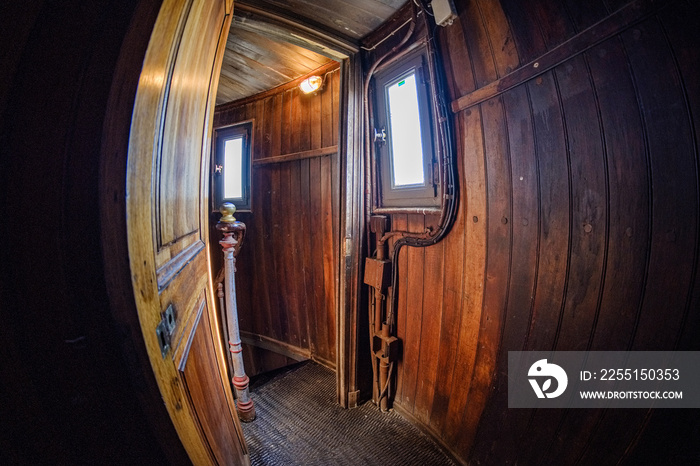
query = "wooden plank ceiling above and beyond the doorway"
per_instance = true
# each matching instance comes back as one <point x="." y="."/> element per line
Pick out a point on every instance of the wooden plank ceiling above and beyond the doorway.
<point x="263" y="53"/>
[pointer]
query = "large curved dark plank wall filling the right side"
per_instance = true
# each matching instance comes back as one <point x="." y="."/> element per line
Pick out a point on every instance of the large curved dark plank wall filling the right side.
<point x="576" y="130"/>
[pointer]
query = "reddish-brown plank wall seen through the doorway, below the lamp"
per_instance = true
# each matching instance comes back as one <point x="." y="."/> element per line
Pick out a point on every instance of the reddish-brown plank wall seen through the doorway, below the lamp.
<point x="288" y="266"/>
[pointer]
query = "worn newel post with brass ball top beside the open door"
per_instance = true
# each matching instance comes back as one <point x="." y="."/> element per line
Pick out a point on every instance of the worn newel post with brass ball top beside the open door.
<point x="233" y="232"/>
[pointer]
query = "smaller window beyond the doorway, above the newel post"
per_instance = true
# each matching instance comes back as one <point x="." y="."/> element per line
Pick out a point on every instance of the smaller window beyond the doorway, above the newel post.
<point x="232" y="166"/>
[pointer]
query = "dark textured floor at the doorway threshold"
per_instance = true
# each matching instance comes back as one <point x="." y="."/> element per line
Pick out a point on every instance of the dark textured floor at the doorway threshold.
<point x="299" y="423"/>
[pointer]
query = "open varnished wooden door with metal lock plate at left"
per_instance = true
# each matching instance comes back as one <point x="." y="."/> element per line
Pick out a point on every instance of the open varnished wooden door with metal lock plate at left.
<point x="167" y="226"/>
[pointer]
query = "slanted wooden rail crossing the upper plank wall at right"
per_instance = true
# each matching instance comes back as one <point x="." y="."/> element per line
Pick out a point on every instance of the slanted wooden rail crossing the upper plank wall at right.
<point x="614" y="24"/>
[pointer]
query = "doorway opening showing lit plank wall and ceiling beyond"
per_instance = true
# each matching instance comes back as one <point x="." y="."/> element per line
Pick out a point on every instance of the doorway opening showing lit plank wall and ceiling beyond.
<point x="289" y="277"/>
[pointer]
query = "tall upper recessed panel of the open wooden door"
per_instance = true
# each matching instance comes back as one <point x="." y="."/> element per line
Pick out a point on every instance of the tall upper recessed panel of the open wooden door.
<point x="177" y="190"/>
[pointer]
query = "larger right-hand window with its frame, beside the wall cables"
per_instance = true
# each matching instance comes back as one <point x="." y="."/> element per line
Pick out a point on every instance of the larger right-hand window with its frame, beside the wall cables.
<point x="403" y="113"/>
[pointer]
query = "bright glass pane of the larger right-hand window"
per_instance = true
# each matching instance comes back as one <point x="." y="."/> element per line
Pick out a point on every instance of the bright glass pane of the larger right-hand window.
<point x="406" y="144"/>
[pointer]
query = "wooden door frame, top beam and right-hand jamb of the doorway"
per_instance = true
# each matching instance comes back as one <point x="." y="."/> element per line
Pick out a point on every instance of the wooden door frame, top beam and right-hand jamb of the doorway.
<point x="286" y="28"/>
